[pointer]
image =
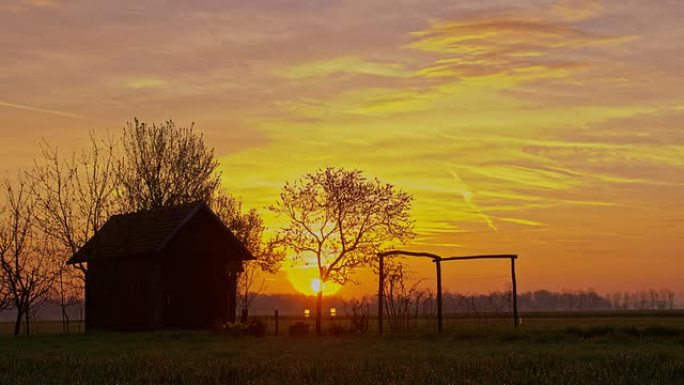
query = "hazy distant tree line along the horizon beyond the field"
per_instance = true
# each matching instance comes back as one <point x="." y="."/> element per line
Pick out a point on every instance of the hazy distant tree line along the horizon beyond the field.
<point x="421" y="303"/>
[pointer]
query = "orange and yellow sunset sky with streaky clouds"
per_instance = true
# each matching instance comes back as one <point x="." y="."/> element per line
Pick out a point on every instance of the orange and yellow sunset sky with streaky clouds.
<point x="550" y="129"/>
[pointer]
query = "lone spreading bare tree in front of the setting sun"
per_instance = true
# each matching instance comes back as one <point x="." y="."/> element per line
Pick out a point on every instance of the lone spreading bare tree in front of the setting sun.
<point x="339" y="220"/>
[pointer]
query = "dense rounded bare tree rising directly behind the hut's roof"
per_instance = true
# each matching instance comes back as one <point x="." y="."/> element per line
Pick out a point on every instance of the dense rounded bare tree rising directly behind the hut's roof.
<point x="163" y="165"/>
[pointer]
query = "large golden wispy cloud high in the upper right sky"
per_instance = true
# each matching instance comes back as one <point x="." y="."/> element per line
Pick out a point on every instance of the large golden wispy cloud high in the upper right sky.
<point x="518" y="45"/>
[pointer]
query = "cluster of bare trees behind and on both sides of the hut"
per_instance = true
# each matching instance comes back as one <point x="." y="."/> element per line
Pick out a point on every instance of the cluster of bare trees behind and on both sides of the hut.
<point x="51" y="210"/>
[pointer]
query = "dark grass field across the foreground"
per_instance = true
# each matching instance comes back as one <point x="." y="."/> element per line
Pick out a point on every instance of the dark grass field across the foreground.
<point x="547" y="349"/>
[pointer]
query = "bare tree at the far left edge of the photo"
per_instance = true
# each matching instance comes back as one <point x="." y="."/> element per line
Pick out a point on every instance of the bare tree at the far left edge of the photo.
<point x="25" y="255"/>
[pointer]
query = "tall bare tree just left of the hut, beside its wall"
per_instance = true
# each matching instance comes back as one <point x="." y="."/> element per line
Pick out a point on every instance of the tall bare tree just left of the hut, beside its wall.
<point x="74" y="199"/>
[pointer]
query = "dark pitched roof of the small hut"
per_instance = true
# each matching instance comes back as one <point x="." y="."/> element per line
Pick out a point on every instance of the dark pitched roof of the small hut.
<point x="144" y="232"/>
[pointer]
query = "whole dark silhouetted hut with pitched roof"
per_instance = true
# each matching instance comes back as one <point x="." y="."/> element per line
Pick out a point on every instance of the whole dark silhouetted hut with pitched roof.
<point x="167" y="268"/>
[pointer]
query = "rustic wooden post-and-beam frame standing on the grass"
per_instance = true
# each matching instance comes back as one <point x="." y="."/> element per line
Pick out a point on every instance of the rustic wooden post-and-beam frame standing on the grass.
<point x="438" y="267"/>
